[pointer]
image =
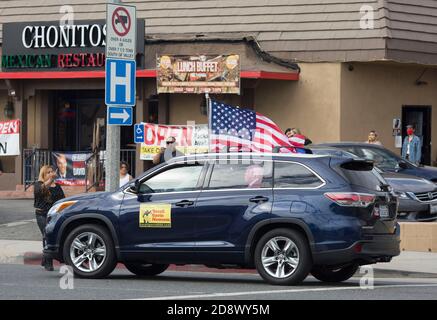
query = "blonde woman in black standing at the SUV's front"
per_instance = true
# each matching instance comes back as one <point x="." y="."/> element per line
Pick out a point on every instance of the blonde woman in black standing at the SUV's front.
<point x="46" y="193"/>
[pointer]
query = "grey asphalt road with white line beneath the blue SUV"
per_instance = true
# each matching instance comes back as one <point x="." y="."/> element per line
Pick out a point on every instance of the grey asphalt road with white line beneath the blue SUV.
<point x="32" y="282"/>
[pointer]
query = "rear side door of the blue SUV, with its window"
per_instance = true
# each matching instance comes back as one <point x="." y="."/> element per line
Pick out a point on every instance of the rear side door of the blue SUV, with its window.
<point x="235" y="196"/>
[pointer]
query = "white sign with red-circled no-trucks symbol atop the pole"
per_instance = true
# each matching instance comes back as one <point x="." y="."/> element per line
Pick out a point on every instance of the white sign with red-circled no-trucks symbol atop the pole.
<point x="121" y="32"/>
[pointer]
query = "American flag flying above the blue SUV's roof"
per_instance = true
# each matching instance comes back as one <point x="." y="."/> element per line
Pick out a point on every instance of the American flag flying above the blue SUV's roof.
<point x="246" y="129"/>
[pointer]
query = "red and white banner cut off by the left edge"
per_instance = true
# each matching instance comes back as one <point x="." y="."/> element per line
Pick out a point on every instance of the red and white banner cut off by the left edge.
<point x="10" y="138"/>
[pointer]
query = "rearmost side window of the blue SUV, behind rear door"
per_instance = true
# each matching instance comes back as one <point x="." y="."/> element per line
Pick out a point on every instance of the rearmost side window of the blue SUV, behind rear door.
<point x="293" y="175"/>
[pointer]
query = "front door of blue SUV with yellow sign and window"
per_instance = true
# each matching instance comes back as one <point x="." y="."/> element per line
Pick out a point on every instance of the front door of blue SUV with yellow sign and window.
<point x="160" y="217"/>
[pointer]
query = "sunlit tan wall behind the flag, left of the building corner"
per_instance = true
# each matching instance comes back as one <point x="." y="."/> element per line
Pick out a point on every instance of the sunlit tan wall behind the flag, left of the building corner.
<point x="311" y="104"/>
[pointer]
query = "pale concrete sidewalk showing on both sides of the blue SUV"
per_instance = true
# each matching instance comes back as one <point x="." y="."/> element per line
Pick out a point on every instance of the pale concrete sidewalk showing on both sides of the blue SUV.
<point x="411" y="264"/>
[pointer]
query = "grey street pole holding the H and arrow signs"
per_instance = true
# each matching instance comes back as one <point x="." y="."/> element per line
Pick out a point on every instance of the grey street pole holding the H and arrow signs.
<point x="112" y="159"/>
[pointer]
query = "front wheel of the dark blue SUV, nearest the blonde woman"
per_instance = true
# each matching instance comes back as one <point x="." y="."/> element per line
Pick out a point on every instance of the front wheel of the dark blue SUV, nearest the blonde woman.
<point x="89" y="250"/>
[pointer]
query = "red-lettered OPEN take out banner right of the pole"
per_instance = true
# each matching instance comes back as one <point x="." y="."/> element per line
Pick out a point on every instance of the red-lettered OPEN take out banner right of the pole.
<point x="190" y="139"/>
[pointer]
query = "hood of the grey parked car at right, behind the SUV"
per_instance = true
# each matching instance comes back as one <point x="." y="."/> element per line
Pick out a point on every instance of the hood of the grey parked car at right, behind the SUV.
<point x="407" y="183"/>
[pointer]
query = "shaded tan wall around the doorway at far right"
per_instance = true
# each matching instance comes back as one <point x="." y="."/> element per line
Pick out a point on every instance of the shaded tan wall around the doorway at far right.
<point x="372" y="95"/>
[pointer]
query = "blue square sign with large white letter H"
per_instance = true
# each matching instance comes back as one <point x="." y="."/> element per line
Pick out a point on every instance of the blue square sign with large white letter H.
<point x="120" y="82"/>
